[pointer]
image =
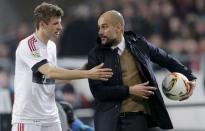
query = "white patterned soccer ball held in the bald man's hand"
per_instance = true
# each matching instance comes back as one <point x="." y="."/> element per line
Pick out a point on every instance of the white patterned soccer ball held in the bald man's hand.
<point x="175" y="86"/>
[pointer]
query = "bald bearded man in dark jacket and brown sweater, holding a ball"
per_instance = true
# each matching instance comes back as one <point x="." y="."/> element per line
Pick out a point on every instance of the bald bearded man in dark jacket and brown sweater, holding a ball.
<point x="130" y="100"/>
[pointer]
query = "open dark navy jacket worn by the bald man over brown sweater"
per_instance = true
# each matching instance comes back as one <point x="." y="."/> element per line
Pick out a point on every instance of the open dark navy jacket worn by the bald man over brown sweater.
<point x="109" y="94"/>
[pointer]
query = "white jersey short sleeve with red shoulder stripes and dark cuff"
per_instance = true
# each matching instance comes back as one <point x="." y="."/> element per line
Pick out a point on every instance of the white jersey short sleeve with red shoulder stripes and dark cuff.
<point x="29" y="53"/>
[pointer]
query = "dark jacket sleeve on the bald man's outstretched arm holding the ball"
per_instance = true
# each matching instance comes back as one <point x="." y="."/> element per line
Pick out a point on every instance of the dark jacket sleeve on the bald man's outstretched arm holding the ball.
<point x="164" y="59"/>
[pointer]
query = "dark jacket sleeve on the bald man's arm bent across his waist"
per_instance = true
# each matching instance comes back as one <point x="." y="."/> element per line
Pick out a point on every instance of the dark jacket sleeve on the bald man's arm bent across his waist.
<point x="103" y="90"/>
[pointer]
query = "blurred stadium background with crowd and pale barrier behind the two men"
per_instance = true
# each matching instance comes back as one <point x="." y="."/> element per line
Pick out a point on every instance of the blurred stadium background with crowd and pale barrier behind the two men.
<point x="177" y="26"/>
